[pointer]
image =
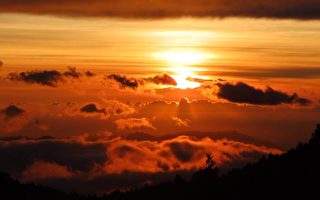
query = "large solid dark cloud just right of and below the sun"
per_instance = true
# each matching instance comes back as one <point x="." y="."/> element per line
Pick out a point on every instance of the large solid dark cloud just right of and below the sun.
<point x="243" y="93"/>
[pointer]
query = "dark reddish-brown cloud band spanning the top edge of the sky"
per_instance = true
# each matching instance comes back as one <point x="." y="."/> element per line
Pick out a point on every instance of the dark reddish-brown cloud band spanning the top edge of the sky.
<point x="296" y="9"/>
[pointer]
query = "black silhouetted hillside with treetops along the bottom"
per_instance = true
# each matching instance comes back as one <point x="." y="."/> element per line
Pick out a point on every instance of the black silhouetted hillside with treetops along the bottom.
<point x="293" y="175"/>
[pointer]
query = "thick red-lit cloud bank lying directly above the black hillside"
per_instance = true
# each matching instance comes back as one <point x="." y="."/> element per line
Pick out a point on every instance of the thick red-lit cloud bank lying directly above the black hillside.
<point x="95" y="160"/>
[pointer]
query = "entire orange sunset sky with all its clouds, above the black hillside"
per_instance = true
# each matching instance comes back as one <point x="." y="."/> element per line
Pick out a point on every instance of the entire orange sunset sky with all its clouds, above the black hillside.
<point x="113" y="94"/>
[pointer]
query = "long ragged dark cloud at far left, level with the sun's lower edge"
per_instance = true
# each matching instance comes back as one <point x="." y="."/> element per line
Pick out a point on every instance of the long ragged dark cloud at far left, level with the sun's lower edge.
<point x="47" y="77"/>
